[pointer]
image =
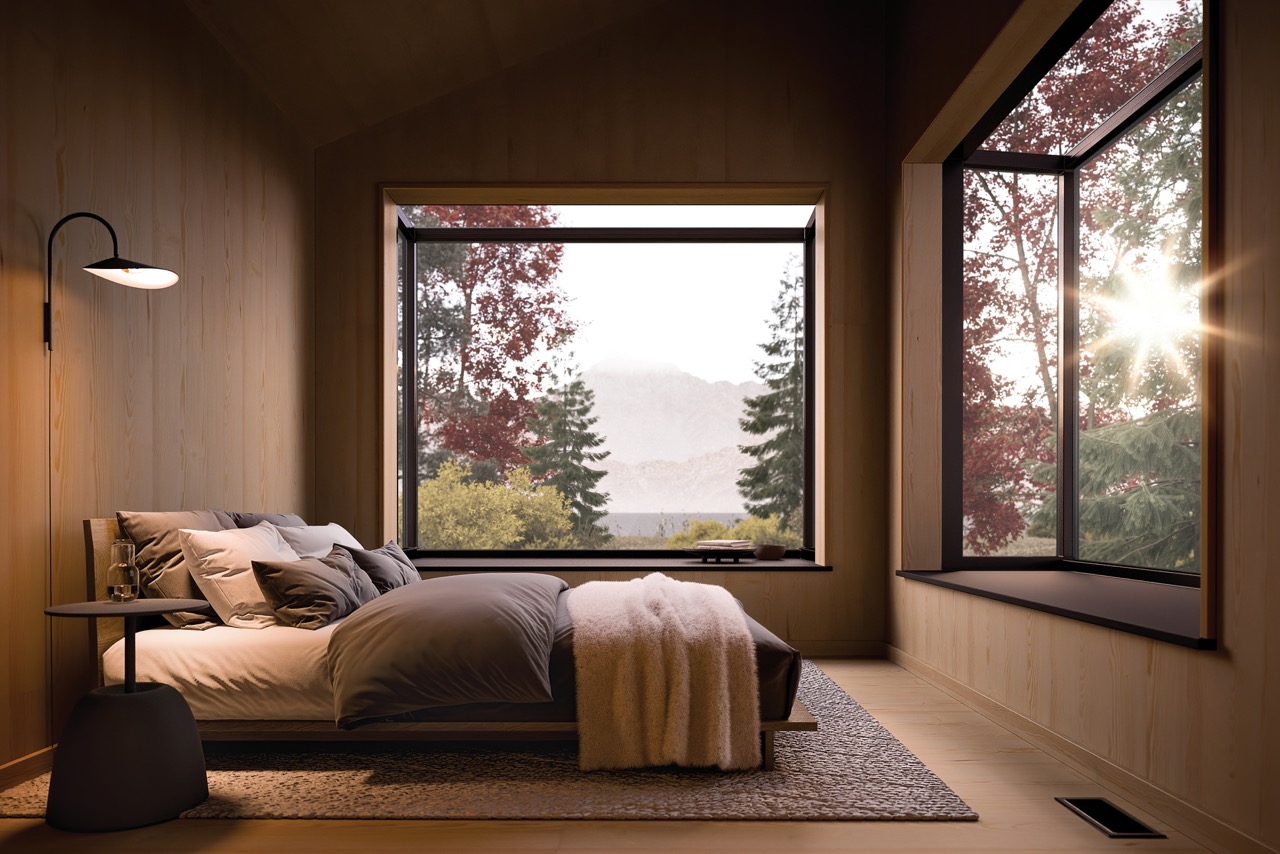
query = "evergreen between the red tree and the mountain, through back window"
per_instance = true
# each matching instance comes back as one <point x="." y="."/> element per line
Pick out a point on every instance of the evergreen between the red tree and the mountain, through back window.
<point x="564" y="453"/>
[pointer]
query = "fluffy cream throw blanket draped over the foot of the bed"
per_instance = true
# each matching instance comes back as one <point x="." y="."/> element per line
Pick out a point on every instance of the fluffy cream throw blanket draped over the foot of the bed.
<point x="666" y="675"/>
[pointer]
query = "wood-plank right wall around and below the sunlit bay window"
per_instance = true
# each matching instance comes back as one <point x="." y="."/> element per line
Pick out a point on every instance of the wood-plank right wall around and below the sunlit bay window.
<point x="1195" y="728"/>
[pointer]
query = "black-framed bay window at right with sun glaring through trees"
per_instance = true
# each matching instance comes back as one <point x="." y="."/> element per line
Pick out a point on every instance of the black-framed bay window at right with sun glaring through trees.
<point x="1081" y="399"/>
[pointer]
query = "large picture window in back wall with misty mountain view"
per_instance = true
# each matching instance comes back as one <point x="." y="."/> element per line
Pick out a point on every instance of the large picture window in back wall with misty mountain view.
<point x="621" y="378"/>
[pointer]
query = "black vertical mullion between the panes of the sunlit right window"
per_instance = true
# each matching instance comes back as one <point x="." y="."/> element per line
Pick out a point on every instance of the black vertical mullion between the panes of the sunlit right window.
<point x="1068" y="364"/>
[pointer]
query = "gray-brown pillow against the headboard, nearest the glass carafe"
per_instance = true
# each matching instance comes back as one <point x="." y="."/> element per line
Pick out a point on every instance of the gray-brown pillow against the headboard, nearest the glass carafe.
<point x="159" y="558"/>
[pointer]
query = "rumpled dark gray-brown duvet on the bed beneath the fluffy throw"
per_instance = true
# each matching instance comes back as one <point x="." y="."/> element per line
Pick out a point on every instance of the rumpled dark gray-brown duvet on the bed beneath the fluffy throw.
<point x="487" y="647"/>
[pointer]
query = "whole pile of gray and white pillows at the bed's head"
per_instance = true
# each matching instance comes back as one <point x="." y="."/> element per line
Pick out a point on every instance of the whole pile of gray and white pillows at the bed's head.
<point x="260" y="570"/>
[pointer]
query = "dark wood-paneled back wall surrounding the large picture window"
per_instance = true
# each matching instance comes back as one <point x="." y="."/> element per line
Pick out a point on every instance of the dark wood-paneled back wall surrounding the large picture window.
<point x="706" y="93"/>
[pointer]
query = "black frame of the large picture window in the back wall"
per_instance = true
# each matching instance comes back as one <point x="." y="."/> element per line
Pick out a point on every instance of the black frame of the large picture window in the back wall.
<point x="408" y="477"/>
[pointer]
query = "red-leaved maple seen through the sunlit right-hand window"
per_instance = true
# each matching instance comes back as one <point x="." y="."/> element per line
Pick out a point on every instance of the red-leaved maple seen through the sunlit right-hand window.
<point x="1012" y="278"/>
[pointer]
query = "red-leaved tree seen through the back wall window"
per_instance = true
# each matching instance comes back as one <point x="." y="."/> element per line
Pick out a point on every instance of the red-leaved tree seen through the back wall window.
<point x="490" y="316"/>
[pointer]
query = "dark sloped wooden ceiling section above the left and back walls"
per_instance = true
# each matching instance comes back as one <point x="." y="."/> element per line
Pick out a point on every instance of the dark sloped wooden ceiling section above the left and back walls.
<point x="335" y="67"/>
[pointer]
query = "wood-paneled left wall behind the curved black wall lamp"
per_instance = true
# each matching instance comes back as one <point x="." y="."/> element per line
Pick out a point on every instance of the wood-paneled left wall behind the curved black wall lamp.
<point x="195" y="396"/>
